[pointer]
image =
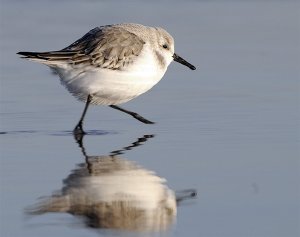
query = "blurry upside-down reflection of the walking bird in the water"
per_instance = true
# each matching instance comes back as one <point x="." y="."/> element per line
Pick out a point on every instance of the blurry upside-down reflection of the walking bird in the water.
<point x="114" y="193"/>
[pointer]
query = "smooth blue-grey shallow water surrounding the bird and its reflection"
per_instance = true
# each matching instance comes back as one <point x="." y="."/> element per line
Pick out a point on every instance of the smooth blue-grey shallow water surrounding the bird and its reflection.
<point x="229" y="130"/>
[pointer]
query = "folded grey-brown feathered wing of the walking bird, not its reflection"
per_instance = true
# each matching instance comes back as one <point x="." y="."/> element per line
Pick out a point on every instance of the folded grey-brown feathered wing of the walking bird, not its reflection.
<point x="105" y="47"/>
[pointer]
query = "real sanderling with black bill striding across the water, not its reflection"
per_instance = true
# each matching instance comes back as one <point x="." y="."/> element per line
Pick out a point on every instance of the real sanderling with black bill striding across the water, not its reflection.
<point x="112" y="64"/>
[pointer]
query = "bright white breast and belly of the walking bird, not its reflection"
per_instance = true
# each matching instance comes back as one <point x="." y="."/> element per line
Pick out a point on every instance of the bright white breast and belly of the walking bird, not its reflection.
<point x="110" y="87"/>
